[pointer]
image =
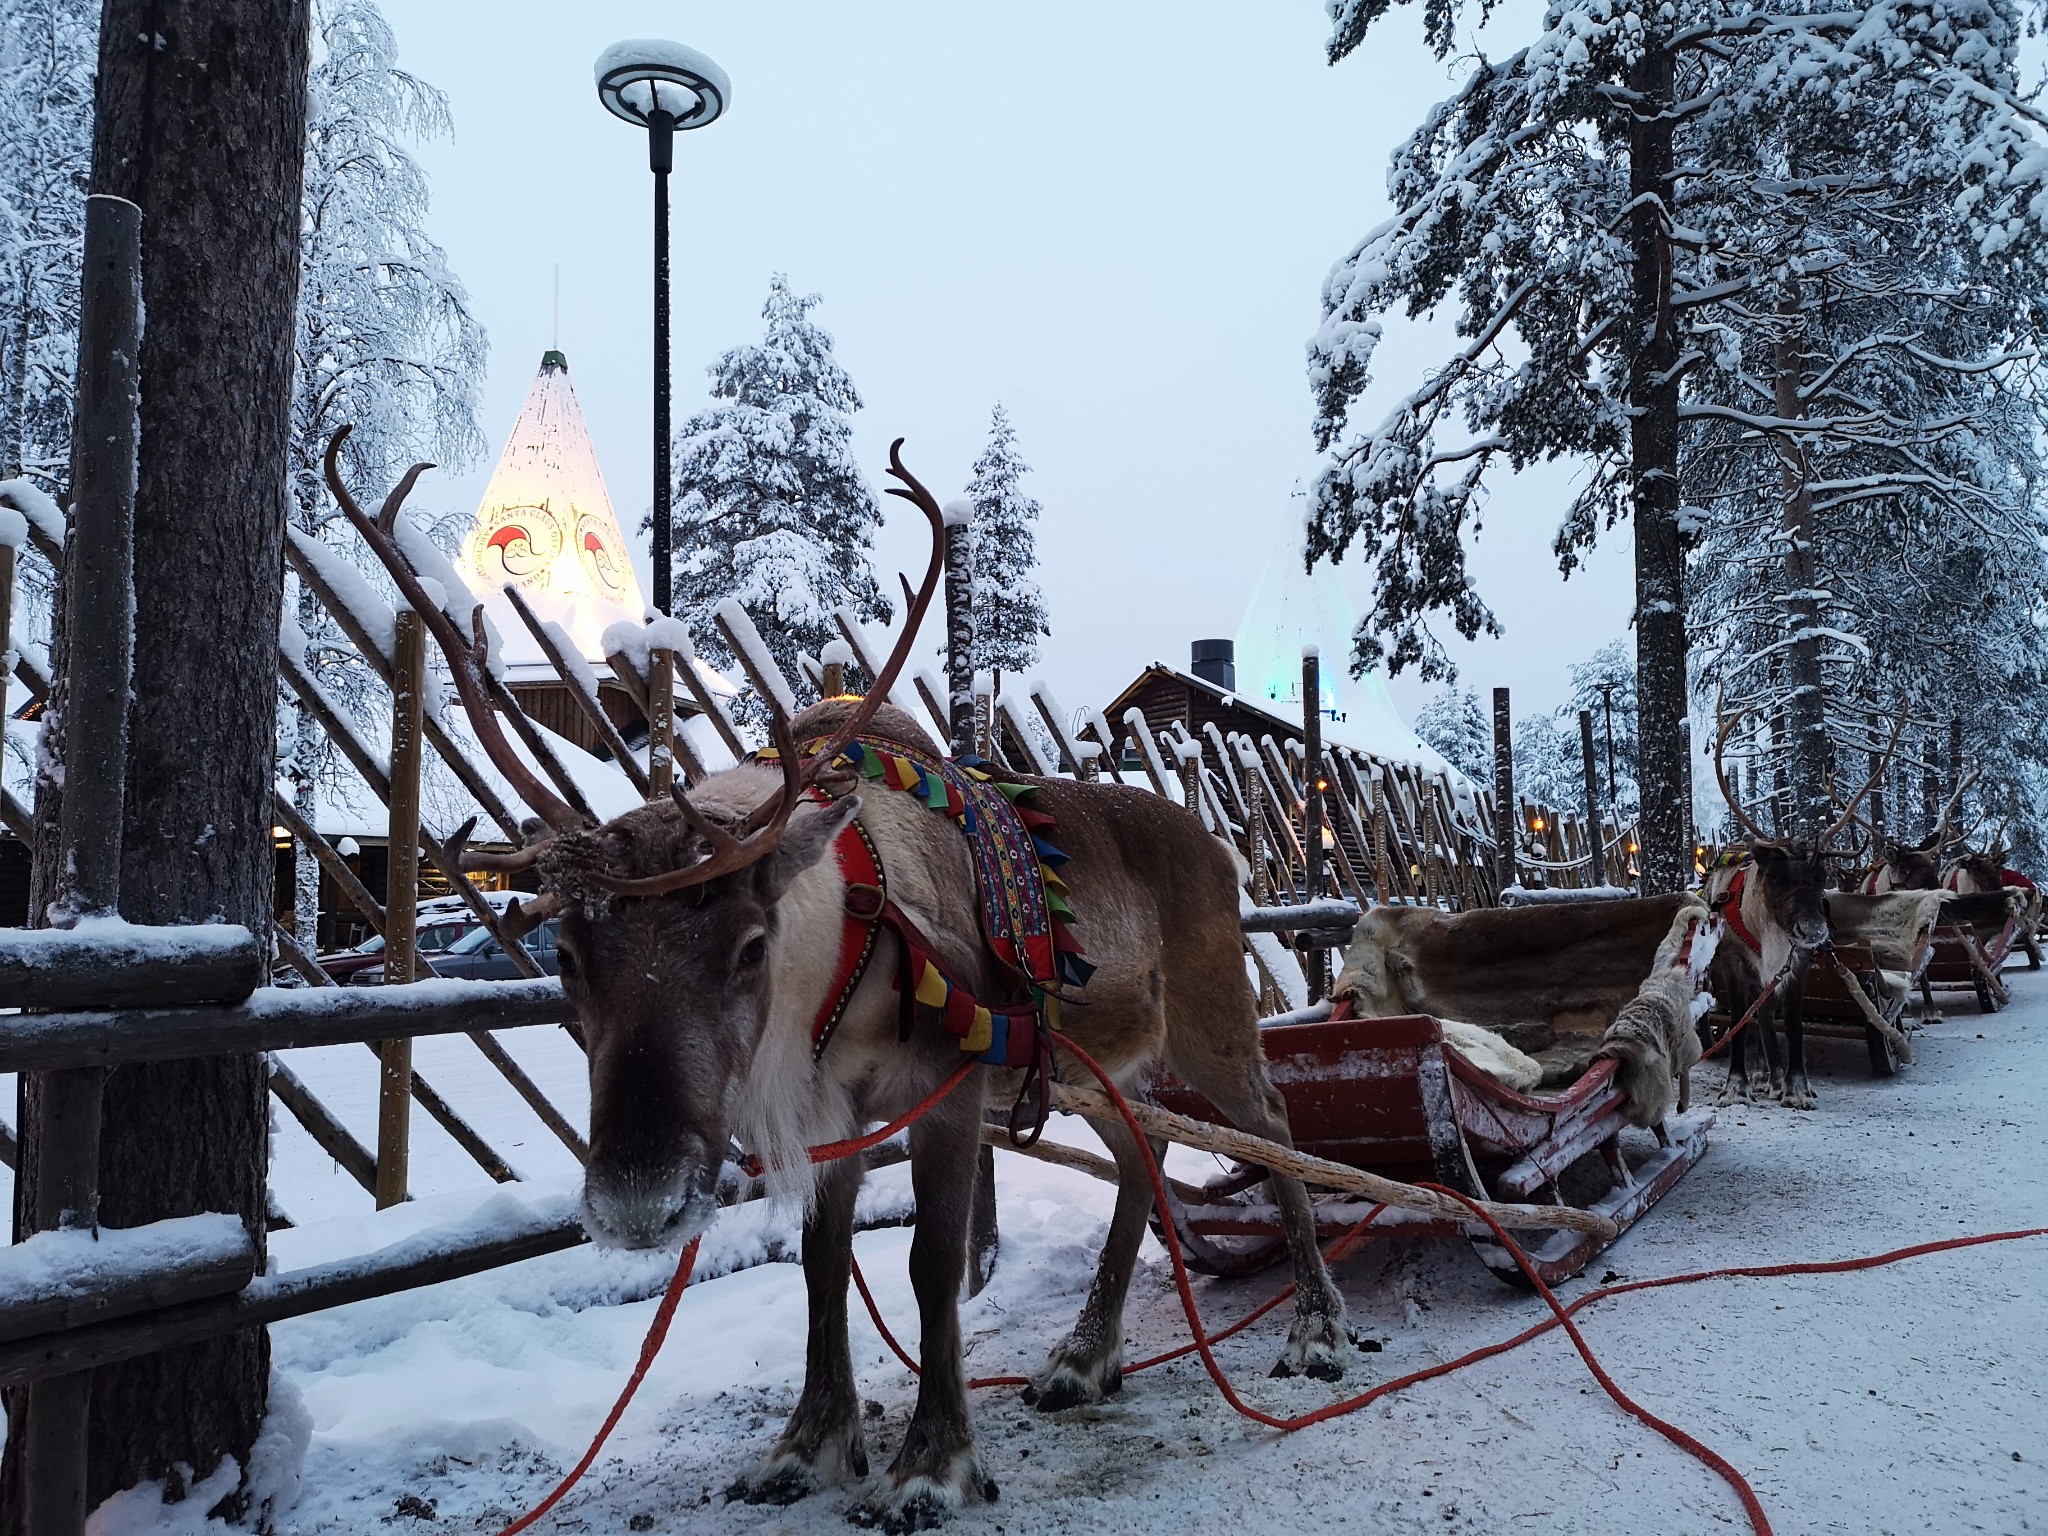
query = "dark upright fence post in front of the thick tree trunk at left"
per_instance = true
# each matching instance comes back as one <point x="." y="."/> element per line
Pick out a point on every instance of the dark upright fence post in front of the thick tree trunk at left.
<point x="99" y="656"/>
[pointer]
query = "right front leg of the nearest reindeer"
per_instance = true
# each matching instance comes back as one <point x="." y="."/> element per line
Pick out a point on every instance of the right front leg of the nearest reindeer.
<point x="937" y="1471"/>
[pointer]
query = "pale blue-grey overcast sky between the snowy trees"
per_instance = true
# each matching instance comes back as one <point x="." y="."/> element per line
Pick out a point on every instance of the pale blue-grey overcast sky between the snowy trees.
<point x="1111" y="218"/>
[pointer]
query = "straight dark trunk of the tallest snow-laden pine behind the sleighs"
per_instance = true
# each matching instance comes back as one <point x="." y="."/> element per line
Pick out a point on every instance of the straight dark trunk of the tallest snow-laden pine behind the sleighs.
<point x="1662" y="769"/>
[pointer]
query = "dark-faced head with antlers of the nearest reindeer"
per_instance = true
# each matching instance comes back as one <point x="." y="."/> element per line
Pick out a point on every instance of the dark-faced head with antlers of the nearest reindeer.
<point x="673" y="925"/>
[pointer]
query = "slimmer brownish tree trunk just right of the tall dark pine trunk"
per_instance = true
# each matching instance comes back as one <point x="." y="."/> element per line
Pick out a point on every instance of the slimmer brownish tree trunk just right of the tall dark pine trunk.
<point x="1807" y="751"/>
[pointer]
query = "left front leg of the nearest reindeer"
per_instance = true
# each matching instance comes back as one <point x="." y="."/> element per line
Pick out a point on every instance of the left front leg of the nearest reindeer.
<point x="822" y="1443"/>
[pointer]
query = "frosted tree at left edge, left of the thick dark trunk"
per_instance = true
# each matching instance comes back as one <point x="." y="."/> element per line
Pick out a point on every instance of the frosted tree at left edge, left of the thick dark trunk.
<point x="48" y="54"/>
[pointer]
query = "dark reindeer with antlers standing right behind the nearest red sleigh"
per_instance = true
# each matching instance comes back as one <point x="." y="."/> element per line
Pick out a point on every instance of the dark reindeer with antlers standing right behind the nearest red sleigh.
<point x="1775" y="904"/>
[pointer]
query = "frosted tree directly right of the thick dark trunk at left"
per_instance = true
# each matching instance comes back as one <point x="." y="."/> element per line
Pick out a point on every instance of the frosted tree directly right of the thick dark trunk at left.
<point x="386" y="343"/>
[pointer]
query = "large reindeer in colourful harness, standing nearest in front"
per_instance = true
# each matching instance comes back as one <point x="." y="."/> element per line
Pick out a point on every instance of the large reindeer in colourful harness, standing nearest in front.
<point x="697" y="947"/>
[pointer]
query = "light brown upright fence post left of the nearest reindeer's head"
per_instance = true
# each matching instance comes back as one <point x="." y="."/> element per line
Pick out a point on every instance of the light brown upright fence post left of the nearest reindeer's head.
<point x="402" y="904"/>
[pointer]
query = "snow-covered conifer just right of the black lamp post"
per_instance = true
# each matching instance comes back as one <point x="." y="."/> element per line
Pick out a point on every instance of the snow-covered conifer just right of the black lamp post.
<point x="771" y="505"/>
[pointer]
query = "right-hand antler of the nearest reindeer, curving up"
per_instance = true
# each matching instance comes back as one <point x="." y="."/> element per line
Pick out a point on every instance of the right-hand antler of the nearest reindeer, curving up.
<point x="763" y="828"/>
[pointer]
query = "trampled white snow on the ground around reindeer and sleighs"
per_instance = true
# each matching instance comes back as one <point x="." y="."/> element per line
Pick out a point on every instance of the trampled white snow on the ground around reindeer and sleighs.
<point x="1902" y="1400"/>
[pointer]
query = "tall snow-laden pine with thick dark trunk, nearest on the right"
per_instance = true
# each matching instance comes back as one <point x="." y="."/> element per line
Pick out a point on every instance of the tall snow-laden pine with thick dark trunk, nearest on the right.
<point x="1555" y="198"/>
